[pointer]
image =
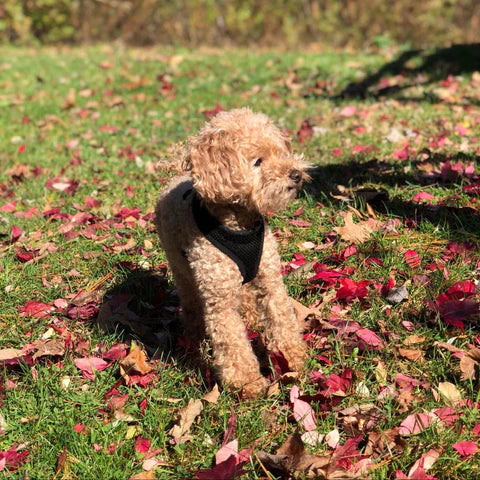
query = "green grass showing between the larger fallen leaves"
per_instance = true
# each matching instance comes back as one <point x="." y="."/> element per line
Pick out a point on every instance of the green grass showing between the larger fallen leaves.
<point x="103" y="117"/>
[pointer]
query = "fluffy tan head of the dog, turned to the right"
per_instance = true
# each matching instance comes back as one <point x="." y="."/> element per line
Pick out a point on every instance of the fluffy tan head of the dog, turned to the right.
<point x="242" y="158"/>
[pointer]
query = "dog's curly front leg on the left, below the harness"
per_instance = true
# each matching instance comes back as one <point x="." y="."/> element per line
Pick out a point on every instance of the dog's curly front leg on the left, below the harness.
<point x="219" y="284"/>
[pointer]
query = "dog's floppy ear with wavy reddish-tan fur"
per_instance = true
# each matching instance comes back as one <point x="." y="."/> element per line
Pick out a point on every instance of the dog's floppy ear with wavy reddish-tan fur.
<point x="216" y="167"/>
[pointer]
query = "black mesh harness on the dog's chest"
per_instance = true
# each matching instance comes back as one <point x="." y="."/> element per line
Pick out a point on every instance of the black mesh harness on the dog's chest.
<point x="244" y="247"/>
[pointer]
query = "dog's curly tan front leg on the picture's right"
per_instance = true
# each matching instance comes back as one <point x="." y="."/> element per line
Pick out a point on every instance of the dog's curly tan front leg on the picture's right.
<point x="278" y="317"/>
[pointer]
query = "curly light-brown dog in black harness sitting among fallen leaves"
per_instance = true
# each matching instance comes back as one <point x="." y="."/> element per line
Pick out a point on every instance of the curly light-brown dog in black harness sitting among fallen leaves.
<point x="222" y="255"/>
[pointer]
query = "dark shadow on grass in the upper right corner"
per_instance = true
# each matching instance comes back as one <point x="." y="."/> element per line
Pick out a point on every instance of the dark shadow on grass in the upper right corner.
<point x="417" y="68"/>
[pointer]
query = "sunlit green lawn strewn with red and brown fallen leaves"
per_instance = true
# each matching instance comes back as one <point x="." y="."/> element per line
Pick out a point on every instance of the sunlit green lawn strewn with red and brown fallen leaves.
<point x="382" y="246"/>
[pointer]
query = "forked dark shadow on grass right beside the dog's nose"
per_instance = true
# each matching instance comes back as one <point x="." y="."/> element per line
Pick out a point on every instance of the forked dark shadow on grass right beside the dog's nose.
<point x="367" y="179"/>
